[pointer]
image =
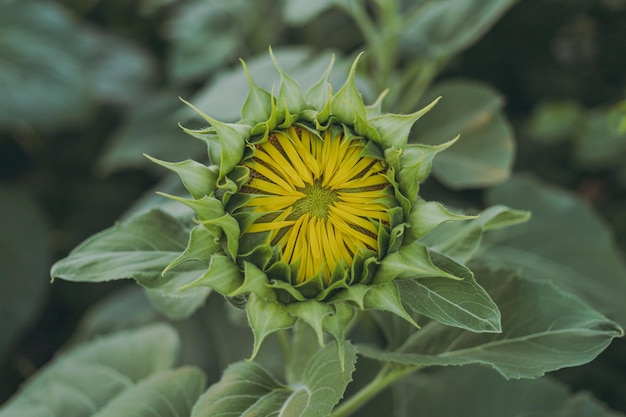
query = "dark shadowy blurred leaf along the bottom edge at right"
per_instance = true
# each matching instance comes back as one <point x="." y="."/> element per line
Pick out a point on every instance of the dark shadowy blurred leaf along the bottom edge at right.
<point x="478" y="392"/>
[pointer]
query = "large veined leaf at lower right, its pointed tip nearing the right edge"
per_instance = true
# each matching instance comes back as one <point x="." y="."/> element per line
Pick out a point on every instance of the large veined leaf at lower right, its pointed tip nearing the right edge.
<point x="543" y="329"/>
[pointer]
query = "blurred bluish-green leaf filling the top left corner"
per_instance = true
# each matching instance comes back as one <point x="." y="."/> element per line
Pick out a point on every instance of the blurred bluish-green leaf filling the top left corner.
<point x="53" y="69"/>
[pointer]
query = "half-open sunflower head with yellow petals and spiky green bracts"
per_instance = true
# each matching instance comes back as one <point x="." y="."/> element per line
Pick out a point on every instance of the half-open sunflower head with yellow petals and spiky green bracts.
<point x="301" y="202"/>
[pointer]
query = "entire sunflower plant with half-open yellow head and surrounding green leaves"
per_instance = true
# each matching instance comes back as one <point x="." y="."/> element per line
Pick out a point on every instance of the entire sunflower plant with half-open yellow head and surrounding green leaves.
<point x="487" y="286"/>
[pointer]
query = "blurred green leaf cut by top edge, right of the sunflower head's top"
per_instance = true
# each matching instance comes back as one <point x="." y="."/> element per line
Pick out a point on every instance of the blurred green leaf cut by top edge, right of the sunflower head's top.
<point x="446" y="27"/>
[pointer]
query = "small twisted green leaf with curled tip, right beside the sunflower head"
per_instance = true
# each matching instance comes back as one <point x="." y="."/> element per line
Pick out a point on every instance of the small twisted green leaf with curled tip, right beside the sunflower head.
<point x="461" y="240"/>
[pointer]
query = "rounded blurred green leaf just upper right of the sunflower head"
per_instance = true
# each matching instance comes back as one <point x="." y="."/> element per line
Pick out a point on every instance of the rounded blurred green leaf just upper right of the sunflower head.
<point x="483" y="156"/>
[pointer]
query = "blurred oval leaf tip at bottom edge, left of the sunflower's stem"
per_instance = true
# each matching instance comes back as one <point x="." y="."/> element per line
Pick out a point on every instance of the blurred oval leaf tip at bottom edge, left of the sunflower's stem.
<point x="170" y="393"/>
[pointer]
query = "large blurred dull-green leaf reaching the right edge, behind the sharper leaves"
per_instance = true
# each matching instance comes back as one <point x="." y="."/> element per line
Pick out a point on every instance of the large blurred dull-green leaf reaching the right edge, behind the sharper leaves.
<point x="565" y="243"/>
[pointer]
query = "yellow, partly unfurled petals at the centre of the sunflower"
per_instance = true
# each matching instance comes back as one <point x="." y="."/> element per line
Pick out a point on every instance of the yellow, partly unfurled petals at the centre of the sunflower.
<point x="321" y="201"/>
